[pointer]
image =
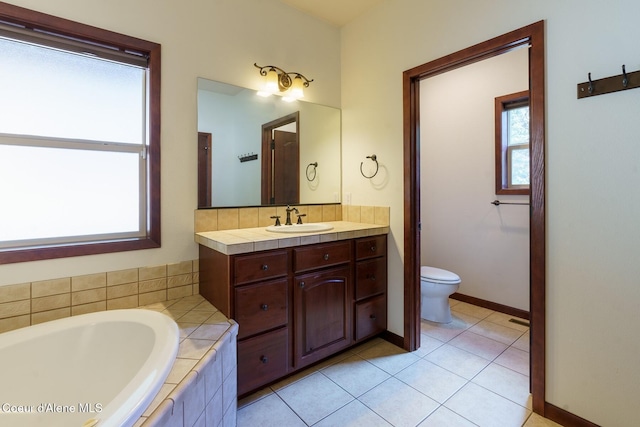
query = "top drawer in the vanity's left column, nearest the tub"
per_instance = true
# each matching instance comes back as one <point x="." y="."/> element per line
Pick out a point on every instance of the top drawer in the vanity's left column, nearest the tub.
<point x="250" y="268"/>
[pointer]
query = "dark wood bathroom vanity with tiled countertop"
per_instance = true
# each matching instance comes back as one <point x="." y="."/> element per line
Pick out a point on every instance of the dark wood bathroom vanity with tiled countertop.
<point x="309" y="297"/>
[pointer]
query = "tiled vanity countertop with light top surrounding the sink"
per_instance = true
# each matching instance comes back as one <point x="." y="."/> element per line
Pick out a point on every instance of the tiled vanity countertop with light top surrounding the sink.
<point x="246" y="240"/>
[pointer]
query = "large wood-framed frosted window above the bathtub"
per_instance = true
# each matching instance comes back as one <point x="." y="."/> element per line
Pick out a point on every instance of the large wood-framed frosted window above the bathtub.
<point x="79" y="139"/>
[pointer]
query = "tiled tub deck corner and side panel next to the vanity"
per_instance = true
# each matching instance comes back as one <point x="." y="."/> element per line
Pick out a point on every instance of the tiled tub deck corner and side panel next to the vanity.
<point x="201" y="388"/>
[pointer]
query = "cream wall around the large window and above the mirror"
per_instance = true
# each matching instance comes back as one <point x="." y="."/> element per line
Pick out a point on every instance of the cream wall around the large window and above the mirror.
<point x="216" y="39"/>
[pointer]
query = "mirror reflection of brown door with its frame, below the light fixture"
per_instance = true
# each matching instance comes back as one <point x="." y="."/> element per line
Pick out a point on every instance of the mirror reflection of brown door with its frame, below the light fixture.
<point x="280" y="161"/>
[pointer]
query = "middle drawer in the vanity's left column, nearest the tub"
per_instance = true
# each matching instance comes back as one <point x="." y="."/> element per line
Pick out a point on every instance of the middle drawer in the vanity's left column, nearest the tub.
<point x="261" y="307"/>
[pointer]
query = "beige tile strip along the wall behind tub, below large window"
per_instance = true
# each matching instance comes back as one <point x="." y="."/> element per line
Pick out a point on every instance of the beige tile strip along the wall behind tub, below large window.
<point x="27" y="304"/>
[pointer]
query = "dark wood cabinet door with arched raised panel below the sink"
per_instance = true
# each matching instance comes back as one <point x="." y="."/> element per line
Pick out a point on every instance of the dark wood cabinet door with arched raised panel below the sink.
<point x="323" y="314"/>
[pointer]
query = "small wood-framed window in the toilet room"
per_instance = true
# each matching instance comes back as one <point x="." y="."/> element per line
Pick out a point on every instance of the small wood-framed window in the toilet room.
<point x="512" y="143"/>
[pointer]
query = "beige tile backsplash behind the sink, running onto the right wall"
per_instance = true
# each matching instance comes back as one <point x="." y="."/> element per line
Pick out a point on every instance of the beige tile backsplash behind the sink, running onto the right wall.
<point x="235" y="218"/>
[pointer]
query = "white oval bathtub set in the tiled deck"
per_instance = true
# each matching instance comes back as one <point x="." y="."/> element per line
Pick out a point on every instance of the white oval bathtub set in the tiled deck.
<point x="100" y="369"/>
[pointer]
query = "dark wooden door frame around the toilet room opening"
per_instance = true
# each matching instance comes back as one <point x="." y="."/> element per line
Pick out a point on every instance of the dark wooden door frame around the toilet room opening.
<point x="532" y="35"/>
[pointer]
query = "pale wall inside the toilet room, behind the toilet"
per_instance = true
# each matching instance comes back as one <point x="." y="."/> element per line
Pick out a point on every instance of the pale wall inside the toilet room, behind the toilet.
<point x="487" y="246"/>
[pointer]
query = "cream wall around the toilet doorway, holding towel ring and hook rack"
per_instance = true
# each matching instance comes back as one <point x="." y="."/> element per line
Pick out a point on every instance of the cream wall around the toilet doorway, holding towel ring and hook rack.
<point x="593" y="172"/>
